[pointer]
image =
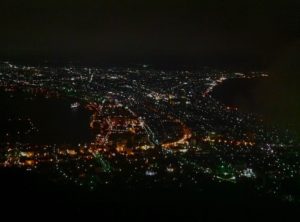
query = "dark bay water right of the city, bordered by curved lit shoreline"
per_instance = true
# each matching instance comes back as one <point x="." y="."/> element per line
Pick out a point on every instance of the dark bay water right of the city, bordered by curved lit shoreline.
<point x="272" y="99"/>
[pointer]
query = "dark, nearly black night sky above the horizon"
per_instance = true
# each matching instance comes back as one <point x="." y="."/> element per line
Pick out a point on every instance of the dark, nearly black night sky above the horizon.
<point x="210" y="31"/>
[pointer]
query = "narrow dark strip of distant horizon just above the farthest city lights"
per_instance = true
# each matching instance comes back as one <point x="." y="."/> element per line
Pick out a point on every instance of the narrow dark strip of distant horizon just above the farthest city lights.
<point x="157" y="63"/>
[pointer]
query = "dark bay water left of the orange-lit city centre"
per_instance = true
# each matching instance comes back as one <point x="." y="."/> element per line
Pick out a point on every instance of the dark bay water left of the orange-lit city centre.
<point x="56" y="121"/>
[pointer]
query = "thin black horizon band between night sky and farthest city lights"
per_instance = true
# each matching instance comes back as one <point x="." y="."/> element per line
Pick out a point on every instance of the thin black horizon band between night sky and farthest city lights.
<point x="166" y="62"/>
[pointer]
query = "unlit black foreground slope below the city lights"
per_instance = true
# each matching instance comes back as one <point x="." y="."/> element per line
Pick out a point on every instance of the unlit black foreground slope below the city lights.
<point x="31" y="192"/>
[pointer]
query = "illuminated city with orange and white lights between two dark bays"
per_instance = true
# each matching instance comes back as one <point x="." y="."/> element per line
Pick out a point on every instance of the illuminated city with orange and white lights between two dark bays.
<point x="148" y="127"/>
